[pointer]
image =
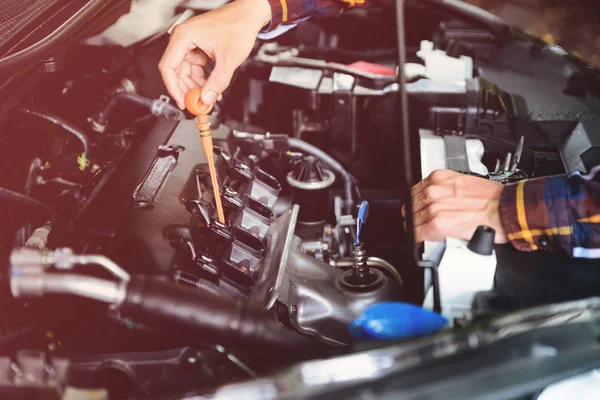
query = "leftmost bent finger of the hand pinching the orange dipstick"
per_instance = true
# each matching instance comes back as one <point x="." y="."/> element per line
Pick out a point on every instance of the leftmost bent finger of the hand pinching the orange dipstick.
<point x="171" y="60"/>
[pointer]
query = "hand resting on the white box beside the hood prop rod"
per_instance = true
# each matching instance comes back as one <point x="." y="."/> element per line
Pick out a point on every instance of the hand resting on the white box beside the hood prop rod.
<point x="448" y="203"/>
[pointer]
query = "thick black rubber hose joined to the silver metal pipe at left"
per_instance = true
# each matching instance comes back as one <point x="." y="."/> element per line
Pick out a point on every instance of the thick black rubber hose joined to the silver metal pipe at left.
<point x="194" y="313"/>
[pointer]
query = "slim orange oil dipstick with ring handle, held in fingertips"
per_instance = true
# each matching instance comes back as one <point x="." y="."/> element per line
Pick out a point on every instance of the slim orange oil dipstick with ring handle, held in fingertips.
<point x="194" y="105"/>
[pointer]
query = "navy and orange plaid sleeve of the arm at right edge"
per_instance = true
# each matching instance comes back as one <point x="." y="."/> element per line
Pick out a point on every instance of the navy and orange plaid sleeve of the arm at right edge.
<point x="557" y="213"/>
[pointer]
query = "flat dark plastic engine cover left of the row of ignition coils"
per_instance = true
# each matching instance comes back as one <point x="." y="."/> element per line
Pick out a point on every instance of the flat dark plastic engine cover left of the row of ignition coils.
<point x="130" y="234"/>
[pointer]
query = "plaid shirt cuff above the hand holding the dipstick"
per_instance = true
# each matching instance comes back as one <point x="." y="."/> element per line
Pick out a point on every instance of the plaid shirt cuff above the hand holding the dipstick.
<point x="290" y="11"/>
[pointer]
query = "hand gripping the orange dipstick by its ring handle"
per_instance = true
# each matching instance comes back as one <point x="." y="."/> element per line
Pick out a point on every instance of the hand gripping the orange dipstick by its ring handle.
<point x="225" y="35"/>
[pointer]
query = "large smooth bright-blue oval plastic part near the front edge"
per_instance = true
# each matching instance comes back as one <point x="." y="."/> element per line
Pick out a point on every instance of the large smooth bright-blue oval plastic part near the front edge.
<point x="396" y="320"/>
